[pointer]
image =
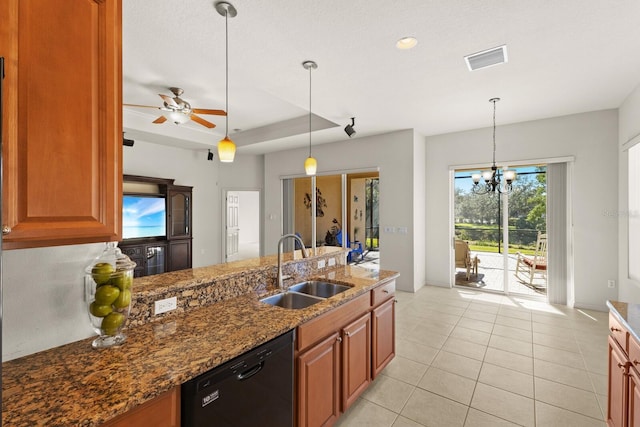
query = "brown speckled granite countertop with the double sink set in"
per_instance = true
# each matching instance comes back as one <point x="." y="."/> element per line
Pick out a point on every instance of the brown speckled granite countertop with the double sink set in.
<point x="75" y="385"/>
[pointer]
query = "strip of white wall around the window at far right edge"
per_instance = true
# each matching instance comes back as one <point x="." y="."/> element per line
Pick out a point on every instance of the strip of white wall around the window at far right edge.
<point x="628" y="128"/>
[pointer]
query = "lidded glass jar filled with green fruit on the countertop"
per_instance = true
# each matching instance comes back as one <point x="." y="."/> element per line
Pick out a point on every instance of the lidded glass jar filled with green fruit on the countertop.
<point x="108" y="283"/>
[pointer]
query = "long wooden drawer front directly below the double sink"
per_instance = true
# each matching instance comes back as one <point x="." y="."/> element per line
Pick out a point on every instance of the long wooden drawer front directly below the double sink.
<point x="320" y="327"/>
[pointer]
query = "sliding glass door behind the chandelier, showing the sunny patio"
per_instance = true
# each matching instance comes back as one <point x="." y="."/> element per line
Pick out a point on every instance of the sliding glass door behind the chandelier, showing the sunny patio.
<point x="497" y="235"/>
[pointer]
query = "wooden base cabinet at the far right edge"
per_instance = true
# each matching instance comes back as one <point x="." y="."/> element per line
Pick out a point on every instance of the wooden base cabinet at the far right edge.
<point x="623" y="407"/>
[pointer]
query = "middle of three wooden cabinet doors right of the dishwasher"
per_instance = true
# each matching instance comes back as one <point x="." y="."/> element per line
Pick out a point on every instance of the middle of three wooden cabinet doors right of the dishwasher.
<point x="356" y="359"/>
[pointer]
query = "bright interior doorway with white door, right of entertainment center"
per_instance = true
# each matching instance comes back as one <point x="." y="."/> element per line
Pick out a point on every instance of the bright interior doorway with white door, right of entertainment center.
<point x="242" y="224"/>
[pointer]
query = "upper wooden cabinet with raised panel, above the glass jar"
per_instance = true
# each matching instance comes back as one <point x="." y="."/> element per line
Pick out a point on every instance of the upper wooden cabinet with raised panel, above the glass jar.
<point x="62" y="122"/>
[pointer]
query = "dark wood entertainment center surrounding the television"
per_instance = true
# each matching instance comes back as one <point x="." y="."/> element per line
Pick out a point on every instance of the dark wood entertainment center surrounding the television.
<point x="154" y="255"/>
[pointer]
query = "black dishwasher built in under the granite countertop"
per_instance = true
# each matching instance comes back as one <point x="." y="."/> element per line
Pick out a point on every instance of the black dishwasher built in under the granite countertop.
<point x="254" y="389"/>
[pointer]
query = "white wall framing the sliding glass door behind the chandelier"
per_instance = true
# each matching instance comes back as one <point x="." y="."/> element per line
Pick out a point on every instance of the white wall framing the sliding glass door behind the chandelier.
<point x="591" y="138"/>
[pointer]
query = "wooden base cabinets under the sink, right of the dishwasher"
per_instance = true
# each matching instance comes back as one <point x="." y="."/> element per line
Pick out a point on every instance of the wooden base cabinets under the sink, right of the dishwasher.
<point x="339" y="353"/>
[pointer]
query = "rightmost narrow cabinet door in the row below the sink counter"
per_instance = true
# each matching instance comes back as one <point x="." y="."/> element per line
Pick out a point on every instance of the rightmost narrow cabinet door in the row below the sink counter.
<point x="384" y="339"/>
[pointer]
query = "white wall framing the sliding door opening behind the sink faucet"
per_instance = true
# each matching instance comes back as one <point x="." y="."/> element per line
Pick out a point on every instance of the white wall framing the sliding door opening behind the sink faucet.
<point x="392" y="153"/>
